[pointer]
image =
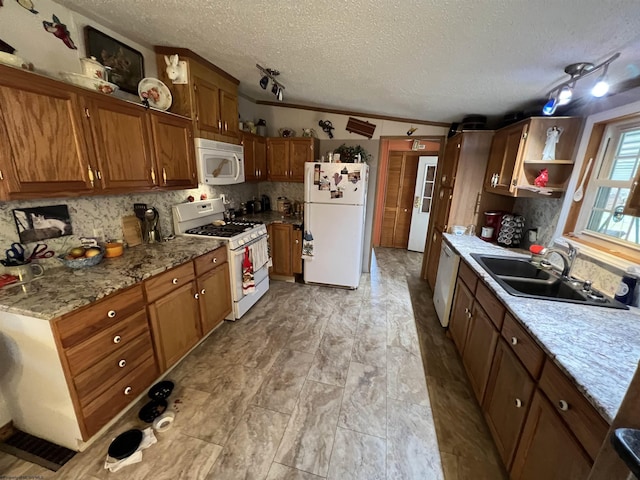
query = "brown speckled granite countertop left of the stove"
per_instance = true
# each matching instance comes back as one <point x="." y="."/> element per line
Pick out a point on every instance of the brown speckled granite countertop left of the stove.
<point x="61" y="290"/>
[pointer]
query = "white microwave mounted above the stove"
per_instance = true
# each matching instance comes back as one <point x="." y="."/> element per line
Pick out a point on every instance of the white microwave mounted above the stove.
<point x="219" y="163"/>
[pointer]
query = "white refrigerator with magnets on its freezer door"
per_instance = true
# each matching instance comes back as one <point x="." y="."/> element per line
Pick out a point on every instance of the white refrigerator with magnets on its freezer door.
<point x="334" y="211"/>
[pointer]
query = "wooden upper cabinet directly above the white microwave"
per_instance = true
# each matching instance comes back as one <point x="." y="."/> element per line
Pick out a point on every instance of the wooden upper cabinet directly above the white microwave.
<point x="210" y="97"/>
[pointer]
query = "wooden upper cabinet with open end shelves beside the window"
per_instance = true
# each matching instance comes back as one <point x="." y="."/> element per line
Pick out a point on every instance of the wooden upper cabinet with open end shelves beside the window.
<point x="516" y="155"/>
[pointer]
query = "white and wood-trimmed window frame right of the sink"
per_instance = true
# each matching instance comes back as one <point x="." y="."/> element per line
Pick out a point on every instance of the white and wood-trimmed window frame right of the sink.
<point x="605" y="249"/>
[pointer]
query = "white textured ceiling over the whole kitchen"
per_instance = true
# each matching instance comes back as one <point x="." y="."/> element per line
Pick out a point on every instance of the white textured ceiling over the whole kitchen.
<point x="424" y="59"/>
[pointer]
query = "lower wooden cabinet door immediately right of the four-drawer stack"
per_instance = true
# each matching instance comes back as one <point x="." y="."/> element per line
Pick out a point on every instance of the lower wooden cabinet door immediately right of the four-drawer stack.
<point x="175" y="321"/>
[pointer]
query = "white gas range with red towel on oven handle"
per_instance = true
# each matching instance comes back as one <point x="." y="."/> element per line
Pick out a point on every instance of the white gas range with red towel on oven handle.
<point x="196" y="219"/>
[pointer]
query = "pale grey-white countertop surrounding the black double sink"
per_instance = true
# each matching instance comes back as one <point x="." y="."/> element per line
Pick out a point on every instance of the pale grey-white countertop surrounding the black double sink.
<point x="597" y="347"/>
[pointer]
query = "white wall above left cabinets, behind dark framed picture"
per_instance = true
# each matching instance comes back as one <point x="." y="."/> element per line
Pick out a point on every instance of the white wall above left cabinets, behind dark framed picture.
<point x="23" y="30"/>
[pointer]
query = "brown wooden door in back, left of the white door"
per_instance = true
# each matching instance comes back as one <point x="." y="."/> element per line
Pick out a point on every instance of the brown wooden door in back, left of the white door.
<point x="401" y="182"/>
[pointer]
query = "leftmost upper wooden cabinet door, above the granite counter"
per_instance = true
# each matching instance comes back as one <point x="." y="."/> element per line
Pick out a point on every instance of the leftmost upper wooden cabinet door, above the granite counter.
<point x="44" y="141"/>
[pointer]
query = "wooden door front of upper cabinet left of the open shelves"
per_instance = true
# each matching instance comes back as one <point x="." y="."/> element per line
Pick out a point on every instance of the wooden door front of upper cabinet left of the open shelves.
<point x="505" y="159"/>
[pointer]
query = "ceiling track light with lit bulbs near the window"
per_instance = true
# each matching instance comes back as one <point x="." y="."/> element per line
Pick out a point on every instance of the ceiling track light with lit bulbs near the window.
<point x="562" y="94"/>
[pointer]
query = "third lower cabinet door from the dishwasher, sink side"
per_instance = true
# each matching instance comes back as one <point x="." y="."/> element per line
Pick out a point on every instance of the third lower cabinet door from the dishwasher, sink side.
<point x="508" y="397"/>
